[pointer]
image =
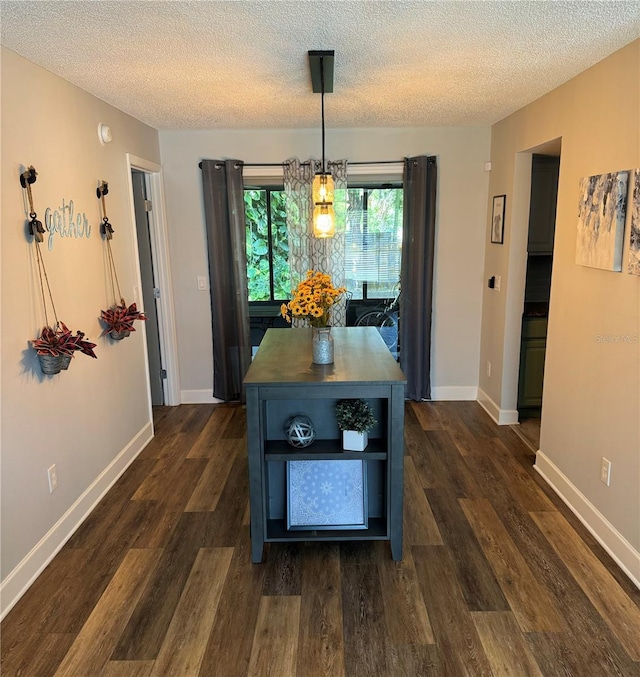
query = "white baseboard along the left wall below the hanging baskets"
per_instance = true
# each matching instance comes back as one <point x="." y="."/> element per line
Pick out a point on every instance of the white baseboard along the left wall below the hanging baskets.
<point x="25" y="573"/>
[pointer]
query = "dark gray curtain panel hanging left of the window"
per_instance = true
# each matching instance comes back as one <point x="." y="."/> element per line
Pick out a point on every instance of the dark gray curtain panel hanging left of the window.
<point x="226" y="235"/>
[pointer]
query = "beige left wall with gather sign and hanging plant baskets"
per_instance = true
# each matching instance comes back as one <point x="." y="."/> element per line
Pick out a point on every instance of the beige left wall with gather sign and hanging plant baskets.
<point x="91" y="420"/>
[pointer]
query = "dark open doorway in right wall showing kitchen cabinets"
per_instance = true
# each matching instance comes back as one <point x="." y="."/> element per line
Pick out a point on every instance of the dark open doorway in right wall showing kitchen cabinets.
<point x="545" y="169"/>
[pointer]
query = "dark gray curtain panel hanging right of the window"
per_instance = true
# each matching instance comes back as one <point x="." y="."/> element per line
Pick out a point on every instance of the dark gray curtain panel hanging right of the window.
<point x="416" y="277"/>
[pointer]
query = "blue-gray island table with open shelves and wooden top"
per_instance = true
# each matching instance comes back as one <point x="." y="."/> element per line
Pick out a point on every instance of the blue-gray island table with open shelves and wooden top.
<point x="282" y="382"/>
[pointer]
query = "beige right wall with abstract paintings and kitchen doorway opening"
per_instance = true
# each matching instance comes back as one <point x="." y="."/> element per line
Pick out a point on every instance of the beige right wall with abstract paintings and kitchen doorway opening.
<point x="591" y="403"/>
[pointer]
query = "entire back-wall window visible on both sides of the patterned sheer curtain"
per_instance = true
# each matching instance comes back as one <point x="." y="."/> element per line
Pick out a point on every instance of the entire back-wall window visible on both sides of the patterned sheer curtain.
<point x="373" y="247"/>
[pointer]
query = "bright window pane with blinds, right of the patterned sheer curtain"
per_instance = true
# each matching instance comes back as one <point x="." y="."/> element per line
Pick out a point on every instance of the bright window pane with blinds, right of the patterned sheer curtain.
<point x="373" y="242"/>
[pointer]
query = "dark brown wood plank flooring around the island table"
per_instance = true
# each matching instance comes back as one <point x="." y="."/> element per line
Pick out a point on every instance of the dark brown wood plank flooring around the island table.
<point x="498" y="577"/>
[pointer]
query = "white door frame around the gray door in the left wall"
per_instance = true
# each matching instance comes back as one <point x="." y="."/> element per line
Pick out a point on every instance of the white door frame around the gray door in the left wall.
<point x="162" y="274"/>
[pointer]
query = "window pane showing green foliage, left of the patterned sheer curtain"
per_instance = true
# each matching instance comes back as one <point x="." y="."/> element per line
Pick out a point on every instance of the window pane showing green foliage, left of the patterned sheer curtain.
<point x="268" y="272"/>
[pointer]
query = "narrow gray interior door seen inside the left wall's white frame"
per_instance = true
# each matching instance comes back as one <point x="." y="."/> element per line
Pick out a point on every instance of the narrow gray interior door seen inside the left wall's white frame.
<point x="149" y="289"/>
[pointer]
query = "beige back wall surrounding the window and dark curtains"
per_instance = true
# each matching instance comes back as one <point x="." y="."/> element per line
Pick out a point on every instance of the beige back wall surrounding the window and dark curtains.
<point x="462" y="195"/>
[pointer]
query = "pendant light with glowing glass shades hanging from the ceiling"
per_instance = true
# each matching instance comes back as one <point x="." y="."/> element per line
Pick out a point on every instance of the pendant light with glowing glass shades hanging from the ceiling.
<point x="321" y="65"/>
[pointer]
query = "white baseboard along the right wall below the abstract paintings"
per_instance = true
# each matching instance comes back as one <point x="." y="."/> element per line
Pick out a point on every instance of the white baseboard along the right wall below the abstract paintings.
<point x="627" y="558"/>
